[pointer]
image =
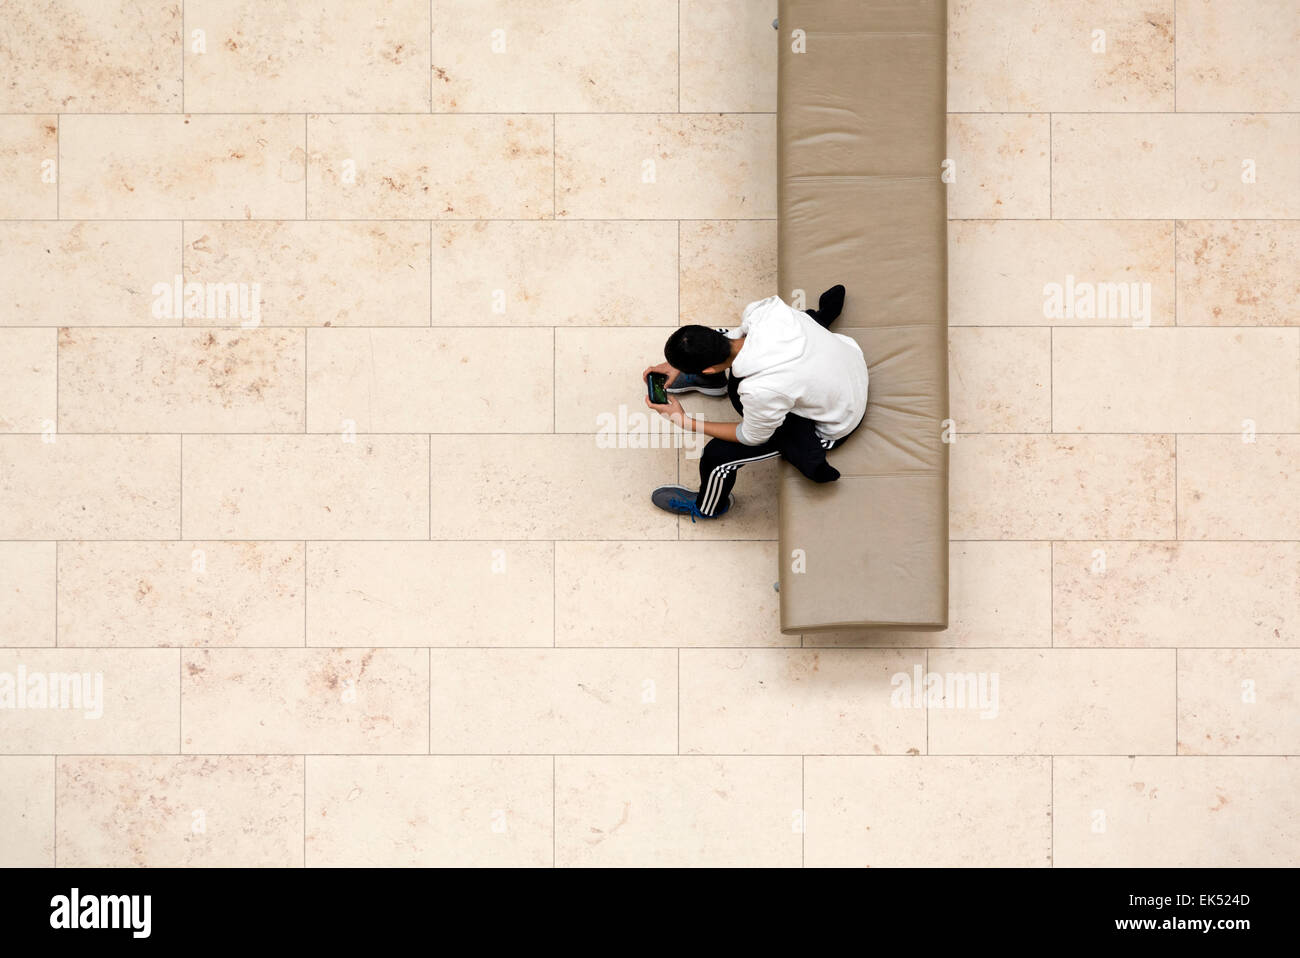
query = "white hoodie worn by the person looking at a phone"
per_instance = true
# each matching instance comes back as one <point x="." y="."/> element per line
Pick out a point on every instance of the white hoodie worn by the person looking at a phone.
<point x="790" y="363"/>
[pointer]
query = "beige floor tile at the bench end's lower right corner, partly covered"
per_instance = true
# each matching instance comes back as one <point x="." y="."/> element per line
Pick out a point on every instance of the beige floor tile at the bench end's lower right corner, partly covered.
<point x="999" y="595"/>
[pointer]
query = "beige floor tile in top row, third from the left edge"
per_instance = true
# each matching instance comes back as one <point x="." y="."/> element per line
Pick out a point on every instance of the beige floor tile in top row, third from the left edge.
<point x="543" y="58"/>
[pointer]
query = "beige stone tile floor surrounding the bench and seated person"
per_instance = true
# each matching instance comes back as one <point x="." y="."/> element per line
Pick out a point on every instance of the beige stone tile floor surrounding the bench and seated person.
<point x="348" y="563"/>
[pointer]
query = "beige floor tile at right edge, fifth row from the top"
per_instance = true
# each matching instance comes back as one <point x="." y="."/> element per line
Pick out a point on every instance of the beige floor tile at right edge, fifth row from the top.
<point x="1229" y="489"/>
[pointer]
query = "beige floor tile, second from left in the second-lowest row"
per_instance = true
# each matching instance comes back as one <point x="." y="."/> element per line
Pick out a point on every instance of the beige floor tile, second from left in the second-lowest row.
<point x="331" y="701"/>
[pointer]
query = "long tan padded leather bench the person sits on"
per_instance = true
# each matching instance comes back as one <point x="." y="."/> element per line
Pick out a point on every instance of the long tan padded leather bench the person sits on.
<point x="861" y="125"/>
